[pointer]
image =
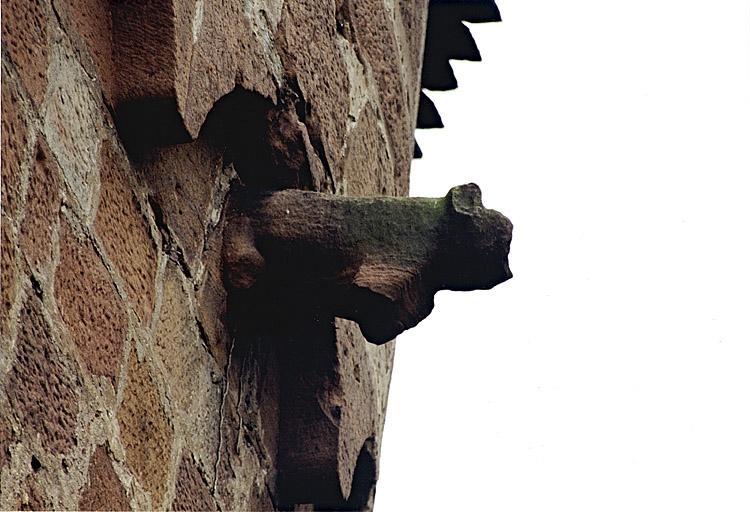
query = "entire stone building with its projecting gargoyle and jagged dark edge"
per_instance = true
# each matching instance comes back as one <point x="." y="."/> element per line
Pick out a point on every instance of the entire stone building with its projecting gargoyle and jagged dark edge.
<point x="163" y="343"/>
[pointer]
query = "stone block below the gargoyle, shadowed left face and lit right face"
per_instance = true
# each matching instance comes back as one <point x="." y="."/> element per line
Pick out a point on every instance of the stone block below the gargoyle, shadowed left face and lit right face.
<point x="330" y="410"/>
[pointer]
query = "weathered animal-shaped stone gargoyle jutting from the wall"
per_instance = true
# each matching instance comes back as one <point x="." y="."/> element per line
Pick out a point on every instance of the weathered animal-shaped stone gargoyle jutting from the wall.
<point x="376" y="260"/>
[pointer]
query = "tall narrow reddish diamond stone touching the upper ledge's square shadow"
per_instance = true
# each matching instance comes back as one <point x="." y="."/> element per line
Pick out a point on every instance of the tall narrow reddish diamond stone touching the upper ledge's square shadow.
<point x="124" y="232"/>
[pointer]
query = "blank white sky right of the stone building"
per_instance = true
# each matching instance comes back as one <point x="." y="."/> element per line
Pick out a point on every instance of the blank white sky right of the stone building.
<point x="613" y="372"/>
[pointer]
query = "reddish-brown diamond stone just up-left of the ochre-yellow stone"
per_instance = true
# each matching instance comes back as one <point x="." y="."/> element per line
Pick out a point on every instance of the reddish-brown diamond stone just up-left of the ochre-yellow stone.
<point x="96" y="324"/>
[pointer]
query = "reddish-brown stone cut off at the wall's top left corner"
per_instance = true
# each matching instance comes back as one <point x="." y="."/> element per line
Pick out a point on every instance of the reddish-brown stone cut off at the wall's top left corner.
<point x="26" y="37"/>
